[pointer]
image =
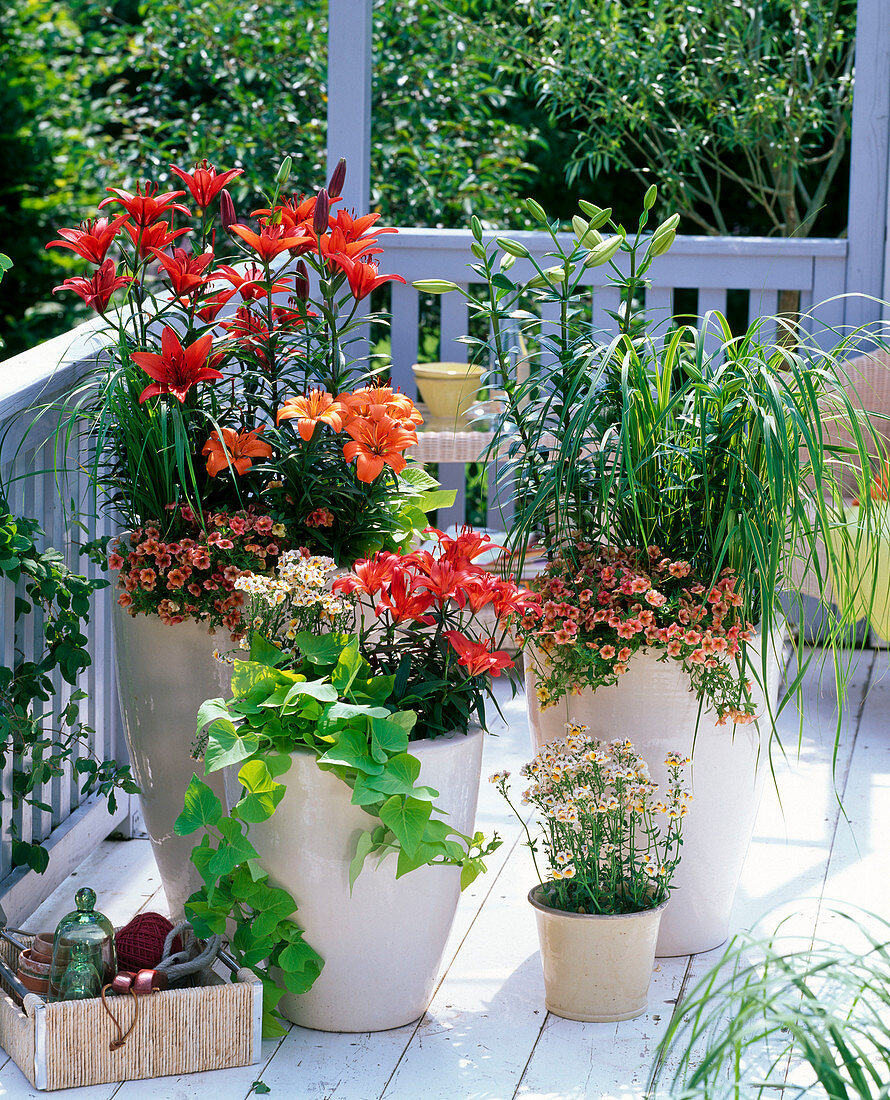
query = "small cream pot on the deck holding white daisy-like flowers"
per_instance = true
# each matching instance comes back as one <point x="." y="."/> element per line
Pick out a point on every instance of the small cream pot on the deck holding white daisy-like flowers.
<point x="597" y="967"/>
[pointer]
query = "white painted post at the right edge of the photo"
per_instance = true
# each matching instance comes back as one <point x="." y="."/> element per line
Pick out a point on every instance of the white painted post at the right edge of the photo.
<point x="870" y="163"/>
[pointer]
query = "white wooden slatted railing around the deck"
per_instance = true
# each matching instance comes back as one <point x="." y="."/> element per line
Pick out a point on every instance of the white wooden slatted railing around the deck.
<point x="709" y="266"/>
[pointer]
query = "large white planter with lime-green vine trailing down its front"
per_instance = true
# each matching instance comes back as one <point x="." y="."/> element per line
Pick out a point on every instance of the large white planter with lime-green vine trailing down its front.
<point x="383" y="944"/>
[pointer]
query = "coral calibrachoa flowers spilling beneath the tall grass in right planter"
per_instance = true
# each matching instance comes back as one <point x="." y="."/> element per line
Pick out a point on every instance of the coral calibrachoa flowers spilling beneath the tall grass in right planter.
<point x="596" y="610"/>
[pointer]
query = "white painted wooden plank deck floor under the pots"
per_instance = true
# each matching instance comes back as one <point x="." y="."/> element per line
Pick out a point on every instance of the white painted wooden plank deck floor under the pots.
<point x="487" y="1036"/>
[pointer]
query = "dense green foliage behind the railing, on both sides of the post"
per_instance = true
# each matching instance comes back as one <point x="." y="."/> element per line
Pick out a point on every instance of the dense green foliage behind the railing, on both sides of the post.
<point x="478" y="104"/>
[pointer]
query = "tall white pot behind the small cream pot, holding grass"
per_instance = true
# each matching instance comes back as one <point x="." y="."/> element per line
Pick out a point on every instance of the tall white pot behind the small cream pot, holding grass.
<point x="654" y="707"/>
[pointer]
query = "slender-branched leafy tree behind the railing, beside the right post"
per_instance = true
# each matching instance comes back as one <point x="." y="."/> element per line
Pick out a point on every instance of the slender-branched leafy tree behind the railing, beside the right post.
<point x="739" y="109"/>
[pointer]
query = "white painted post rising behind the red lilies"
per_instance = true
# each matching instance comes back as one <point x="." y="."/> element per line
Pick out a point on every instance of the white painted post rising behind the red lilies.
<point x="349" y="97"/>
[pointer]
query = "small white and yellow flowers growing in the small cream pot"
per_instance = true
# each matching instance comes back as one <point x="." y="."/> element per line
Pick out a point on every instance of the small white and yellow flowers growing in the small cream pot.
<point x="610" y="835"/>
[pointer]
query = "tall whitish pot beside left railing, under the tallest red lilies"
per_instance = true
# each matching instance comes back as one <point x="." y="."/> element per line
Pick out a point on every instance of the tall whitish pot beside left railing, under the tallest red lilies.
<point x="164" y="675"/>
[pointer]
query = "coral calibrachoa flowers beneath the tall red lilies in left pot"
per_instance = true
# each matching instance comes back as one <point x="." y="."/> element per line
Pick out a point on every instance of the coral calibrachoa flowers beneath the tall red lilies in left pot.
<point x="185" y="567"/>
